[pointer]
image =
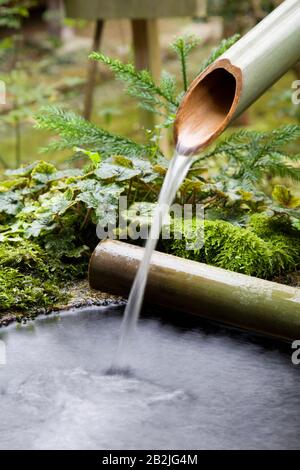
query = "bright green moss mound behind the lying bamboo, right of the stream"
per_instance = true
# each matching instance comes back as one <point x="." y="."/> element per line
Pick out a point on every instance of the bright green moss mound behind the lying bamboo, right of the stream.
<point x="258" y="250"/>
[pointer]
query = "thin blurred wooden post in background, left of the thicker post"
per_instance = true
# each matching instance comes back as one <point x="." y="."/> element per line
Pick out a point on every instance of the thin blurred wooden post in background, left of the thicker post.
<point x="92" y="71"/>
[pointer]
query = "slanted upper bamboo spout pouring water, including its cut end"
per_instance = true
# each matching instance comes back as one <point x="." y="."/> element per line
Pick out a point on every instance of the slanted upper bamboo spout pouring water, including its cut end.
<point x="234" y="81"/>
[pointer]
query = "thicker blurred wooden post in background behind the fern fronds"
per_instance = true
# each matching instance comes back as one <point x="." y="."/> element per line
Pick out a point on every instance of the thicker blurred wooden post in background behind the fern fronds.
<point x="147" y="55"/>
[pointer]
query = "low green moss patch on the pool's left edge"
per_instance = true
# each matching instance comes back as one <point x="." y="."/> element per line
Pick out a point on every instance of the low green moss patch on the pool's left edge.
<point x="30" y="279"/>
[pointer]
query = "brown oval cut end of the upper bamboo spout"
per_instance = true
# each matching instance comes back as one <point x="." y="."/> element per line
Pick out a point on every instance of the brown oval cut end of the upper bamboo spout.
<point x="208" y="107"/>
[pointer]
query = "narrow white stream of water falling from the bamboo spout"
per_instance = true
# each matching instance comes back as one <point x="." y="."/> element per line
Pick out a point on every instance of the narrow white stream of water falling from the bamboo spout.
<point x="176" y="173"/>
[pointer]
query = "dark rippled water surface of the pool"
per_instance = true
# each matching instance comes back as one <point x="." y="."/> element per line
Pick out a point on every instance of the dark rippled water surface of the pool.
<point x="191" y="387"/>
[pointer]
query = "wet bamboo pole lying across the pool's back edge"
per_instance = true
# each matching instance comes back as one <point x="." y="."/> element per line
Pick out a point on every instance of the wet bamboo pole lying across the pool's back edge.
<point x="197" y="288"/>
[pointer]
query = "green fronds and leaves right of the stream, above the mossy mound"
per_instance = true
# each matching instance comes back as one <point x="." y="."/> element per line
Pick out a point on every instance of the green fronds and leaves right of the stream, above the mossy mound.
<point x="249" y="160"/>
